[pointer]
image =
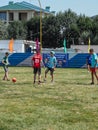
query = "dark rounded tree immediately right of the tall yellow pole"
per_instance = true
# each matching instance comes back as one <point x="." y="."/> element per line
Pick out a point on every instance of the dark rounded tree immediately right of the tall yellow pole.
<point x="50" y="32"/>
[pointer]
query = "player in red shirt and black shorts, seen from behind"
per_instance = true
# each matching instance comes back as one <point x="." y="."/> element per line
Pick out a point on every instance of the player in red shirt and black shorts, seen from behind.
<point x="36" y="64"/>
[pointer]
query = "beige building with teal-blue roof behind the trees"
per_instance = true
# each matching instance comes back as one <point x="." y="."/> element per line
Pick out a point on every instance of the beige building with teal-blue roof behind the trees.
<point x="21" y="11"/>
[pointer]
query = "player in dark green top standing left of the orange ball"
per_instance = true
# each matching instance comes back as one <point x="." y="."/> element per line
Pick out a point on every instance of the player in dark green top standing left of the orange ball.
<point x="5" y="63"/>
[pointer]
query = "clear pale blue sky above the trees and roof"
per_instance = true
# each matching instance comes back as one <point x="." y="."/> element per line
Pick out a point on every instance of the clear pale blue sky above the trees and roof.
<point x="87" y="7"/>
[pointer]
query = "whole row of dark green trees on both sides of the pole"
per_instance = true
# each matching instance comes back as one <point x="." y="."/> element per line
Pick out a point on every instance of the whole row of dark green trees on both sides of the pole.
<point x="76" y="29"/>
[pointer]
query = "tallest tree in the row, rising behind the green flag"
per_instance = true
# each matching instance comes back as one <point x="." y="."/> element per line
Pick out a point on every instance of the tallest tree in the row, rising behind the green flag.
<point x="67" y="22"/>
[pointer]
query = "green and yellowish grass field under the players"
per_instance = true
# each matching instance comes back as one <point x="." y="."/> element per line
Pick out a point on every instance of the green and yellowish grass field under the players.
<point x="70" y="103"/>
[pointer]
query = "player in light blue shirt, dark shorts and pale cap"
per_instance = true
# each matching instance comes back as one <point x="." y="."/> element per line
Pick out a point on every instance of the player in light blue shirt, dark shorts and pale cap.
<point x="51" y="64"/>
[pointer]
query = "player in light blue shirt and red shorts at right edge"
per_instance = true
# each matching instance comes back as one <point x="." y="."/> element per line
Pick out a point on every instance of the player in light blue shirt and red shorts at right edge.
<point x="94" y="65"/>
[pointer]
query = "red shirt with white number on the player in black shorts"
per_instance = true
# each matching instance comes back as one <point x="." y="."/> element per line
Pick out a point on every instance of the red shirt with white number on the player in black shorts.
<point x="37" y="58"/>
